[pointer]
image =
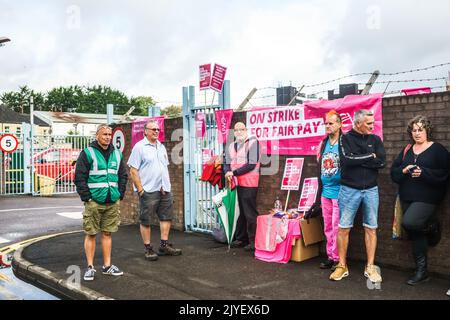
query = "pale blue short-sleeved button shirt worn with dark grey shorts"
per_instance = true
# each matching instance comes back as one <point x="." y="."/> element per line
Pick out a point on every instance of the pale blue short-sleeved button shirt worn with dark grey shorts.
<point x="151" y="161"/>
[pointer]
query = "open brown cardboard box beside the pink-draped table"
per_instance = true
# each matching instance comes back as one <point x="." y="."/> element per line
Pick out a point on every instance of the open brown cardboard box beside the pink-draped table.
<point x="307" y="246"/>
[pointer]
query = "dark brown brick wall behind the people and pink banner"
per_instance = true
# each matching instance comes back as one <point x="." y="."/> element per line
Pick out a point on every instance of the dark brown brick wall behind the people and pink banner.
<point x="396" y="113"/>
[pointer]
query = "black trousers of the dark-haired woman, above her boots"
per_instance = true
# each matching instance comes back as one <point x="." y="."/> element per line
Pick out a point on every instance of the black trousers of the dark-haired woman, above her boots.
<point x="416" y="218"/>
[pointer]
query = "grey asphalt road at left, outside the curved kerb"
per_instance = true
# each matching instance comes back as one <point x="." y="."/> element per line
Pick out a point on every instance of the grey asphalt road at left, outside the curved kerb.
<point x="26" y="217"/>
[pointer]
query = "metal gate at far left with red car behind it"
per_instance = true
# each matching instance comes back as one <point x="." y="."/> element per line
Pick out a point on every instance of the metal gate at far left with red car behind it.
<point x="42" y="165"/>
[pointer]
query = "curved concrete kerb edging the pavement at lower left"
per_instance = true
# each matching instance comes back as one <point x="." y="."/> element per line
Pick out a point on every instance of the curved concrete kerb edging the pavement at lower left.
<point x="49" y="281"/>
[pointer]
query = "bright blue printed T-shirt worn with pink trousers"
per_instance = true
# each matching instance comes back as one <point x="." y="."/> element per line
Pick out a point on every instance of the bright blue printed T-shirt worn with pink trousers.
<point x="330" y="171"/>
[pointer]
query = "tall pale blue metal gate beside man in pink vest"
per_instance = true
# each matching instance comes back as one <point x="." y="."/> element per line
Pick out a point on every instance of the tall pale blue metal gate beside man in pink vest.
<point x="200" y="214"/>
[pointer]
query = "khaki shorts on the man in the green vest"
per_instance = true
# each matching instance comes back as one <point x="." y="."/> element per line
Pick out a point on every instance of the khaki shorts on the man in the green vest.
<point x="101" y="217"/>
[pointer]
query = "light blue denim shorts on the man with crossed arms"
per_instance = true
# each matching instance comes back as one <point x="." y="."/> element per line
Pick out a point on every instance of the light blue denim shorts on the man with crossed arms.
<point x="349" y="201"/>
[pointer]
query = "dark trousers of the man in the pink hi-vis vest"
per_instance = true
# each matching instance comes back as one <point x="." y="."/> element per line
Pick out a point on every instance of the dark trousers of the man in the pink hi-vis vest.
<point x="246" y="224"/>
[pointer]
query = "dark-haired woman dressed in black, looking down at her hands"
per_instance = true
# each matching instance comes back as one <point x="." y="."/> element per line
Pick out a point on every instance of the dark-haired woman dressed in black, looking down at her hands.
<point x="421" y="170"/>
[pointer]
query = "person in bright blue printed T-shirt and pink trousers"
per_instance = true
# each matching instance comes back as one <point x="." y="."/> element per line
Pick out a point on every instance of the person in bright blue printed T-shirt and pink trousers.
<point x="330" y="177"/>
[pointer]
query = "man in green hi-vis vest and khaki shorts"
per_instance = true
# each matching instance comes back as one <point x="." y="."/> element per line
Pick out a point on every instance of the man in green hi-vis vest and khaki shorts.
<point x="101" y="178"/>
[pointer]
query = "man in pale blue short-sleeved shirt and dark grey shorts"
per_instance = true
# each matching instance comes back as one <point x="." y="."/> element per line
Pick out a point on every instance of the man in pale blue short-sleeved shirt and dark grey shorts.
<point x="148" y="164"/>
